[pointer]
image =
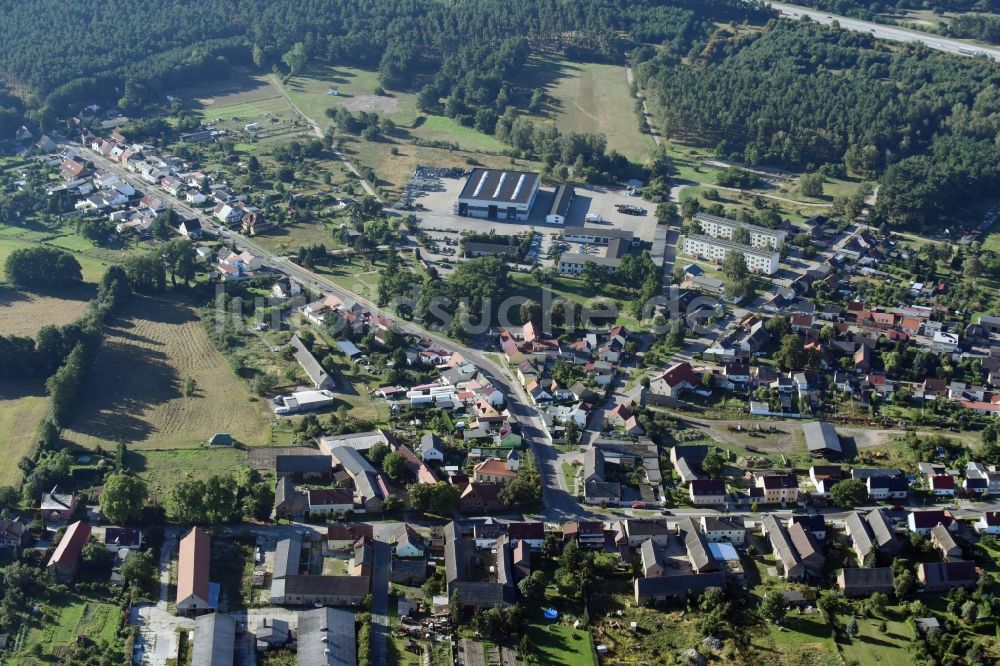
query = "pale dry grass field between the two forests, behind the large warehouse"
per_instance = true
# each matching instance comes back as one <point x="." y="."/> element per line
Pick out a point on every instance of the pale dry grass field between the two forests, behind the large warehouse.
<point x="594" y="98"/>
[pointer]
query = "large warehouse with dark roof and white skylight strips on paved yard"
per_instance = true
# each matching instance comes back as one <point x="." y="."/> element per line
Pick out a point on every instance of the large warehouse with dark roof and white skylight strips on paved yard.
<point x="499" y="195"/>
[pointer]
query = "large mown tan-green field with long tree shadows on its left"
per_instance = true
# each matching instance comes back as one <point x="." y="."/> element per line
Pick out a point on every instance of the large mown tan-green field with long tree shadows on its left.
<point x="135" y="391"/>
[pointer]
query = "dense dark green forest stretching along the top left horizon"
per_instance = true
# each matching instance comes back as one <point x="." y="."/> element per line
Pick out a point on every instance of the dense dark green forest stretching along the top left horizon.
<point x="131" y="52"/>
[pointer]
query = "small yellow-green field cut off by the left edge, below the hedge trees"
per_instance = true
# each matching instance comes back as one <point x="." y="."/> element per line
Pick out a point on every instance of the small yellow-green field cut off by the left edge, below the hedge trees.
<point x="22" y="406"/>
